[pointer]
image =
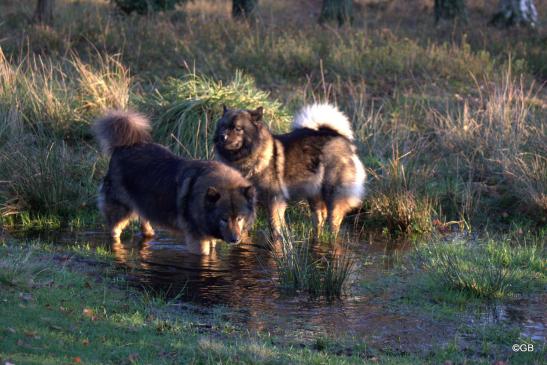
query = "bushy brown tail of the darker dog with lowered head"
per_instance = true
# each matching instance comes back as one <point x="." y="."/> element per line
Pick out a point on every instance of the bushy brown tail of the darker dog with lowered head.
<point x="119" y="128"/>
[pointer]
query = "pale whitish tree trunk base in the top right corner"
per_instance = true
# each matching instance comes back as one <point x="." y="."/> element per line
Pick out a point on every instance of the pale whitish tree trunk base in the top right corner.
<point x="515" y="12"/>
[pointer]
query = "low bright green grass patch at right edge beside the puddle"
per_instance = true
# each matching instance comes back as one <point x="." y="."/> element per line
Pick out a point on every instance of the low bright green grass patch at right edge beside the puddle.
<point x="489" y="269"/>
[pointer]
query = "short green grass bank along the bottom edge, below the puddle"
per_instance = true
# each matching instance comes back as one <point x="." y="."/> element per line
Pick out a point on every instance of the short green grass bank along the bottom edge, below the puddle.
<point x="61" y="304"/>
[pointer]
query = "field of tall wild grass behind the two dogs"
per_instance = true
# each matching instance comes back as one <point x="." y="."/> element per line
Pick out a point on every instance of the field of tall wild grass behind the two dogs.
<point x="449" y="125"/>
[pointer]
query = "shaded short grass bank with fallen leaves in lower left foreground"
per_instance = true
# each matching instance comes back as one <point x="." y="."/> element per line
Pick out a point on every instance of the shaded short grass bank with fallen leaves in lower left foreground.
<point x="57" y="310"/>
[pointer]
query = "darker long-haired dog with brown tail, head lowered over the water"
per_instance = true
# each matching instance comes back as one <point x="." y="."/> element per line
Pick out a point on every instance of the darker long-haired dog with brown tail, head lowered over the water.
<point x="203" y="200"/>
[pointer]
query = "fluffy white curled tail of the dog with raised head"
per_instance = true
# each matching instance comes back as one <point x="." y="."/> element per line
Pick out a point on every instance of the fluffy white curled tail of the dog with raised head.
<point x="316" y="116"/>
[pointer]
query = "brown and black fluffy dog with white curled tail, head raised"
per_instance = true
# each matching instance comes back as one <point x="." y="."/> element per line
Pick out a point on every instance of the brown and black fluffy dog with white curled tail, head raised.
<point x="317" y="161"/>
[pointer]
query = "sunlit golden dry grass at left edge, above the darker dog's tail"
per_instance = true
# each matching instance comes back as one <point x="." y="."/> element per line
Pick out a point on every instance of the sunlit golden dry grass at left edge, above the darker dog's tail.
<point x="61" y="97"/>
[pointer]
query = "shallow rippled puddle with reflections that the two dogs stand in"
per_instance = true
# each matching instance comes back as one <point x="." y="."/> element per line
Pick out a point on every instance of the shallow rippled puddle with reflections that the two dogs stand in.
<point x="243" y="280"/>
